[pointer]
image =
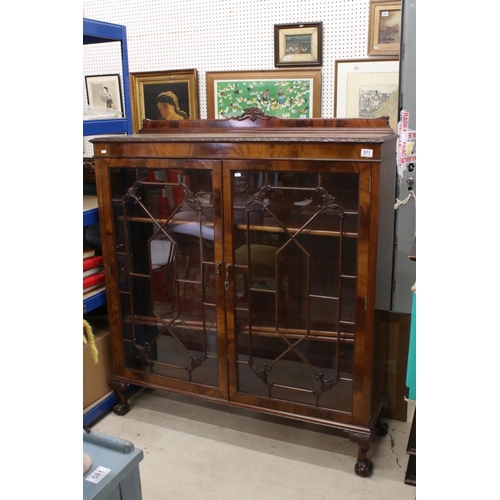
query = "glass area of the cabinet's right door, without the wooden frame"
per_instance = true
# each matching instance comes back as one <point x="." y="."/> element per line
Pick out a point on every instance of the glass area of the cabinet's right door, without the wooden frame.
<point x="295" y="248"/>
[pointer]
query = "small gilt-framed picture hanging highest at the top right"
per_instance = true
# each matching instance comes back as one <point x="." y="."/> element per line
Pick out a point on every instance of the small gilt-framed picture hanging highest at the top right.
<point x="384" y="32"/>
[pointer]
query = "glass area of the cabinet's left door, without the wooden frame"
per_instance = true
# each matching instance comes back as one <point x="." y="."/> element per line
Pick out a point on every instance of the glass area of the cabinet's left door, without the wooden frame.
<point x="167" y="272"/>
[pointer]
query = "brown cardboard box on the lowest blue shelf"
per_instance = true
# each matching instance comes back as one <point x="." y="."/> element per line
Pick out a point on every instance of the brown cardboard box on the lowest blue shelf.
<point x="96" y="376"/>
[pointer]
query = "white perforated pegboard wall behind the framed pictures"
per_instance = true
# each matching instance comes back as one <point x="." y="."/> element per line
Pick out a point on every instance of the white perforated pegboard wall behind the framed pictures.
<point x="222" y="35"/>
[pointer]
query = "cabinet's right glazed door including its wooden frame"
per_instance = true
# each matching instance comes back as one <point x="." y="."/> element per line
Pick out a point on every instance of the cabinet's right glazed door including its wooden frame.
<point x="296" y="249"/>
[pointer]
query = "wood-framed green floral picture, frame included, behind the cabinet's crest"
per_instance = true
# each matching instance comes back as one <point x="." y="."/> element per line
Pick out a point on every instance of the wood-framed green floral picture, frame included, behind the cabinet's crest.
<point x="285" y="93"/>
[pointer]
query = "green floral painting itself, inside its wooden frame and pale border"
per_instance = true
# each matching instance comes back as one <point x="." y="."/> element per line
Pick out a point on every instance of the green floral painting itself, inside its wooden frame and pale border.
<point x="283" y="98"/>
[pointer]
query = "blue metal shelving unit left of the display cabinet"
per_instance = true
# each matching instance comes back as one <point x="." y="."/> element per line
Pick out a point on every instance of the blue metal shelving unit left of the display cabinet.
<point x="103" y="32"/>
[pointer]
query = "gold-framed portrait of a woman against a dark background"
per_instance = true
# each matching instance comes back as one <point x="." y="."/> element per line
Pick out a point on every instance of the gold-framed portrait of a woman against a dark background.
<point x="164" y="95"/>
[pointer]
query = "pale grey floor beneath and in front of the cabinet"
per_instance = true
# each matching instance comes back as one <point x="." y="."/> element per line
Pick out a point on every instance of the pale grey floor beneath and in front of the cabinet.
<point x="200" y="450"/>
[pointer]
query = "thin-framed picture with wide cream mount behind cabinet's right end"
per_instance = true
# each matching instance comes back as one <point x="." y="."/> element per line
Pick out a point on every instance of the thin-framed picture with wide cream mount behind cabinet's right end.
<point x="367" y="88"/>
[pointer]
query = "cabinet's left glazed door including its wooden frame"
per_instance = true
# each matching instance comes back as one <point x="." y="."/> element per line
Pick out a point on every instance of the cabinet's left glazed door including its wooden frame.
<point x="165" y="242"/>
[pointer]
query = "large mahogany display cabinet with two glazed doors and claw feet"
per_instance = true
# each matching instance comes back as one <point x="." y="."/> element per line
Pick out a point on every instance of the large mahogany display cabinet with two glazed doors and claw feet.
<point x="247" y="260"/>
